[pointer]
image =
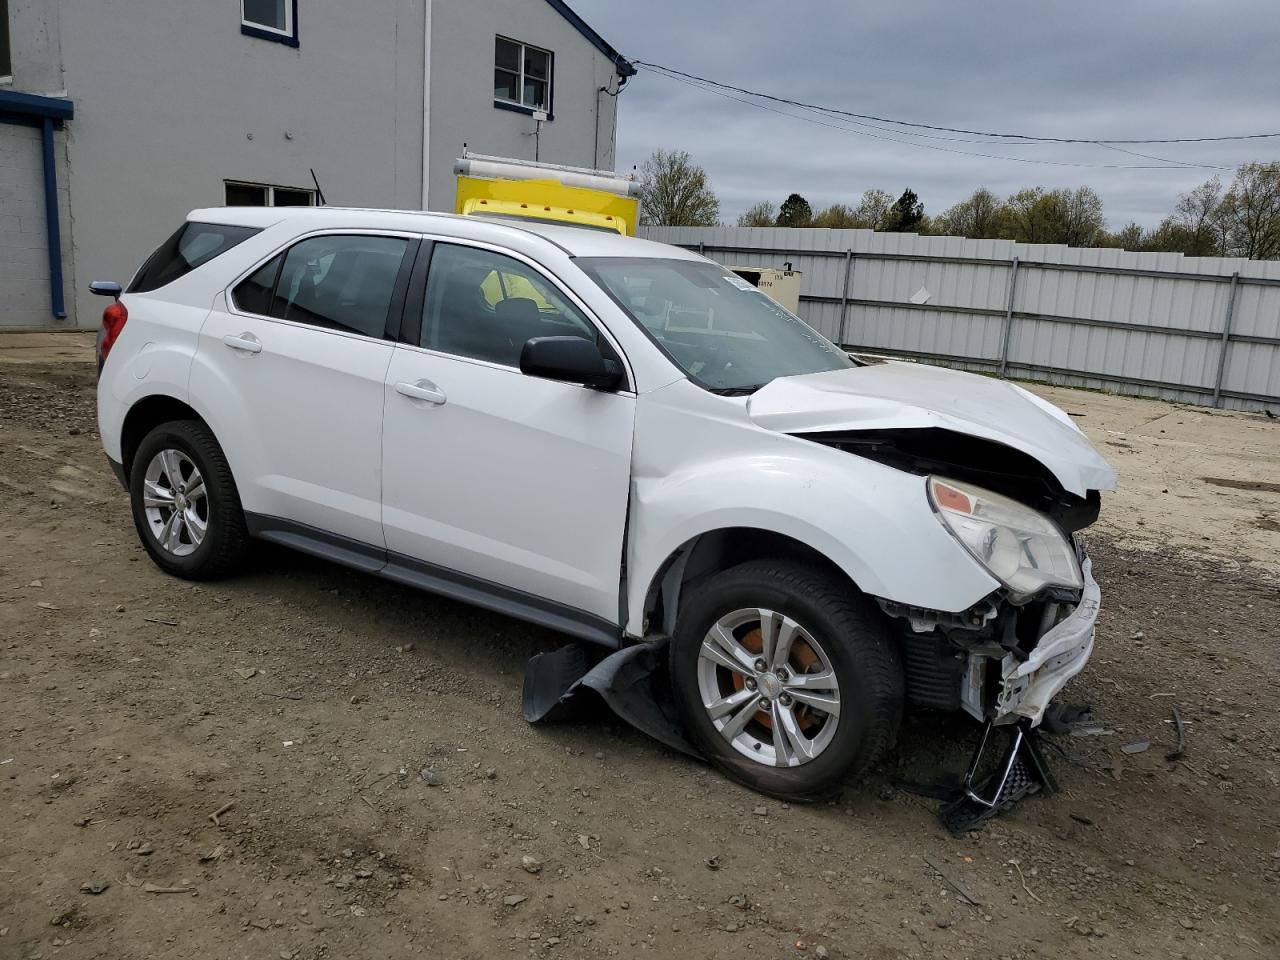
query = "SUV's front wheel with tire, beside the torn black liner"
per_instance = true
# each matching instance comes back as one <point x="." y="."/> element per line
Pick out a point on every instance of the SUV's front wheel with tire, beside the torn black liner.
<point x="834" y="632"/>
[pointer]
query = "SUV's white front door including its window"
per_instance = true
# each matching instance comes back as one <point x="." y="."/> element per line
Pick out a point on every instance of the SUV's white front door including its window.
<point x="510" y="490"/>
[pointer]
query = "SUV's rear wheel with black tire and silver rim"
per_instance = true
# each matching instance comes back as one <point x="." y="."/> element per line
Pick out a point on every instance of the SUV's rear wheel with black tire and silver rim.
<point x="189" y="450"/>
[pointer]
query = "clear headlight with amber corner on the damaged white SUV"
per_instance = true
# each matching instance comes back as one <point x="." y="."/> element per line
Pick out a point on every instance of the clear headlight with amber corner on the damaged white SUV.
<point x="1022" y="548"/>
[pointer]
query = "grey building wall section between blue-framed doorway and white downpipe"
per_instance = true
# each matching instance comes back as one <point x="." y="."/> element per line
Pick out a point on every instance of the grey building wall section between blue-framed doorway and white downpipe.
<point x="172" y="100"/>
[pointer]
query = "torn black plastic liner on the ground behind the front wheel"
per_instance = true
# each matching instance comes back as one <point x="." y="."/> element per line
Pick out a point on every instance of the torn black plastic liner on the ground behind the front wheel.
<point x="633" y="682"/>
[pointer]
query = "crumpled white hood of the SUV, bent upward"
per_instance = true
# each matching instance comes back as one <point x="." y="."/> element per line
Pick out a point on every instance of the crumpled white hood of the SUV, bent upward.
<point x="897" y="396"/>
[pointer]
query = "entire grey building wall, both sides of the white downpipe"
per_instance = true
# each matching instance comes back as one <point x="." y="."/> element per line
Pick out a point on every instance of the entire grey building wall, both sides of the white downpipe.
<point x="172" y="100"/>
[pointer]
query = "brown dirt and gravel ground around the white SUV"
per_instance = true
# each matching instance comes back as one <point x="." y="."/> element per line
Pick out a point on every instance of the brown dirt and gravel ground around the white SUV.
<point x="307" y="701"/>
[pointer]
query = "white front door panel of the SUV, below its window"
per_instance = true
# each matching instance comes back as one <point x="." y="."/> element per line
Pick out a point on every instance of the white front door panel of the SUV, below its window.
<point x="514" y="481"/>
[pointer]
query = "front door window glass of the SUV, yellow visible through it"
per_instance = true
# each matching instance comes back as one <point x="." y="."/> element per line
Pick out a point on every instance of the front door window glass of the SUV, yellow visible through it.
<point x="484" y="307"/>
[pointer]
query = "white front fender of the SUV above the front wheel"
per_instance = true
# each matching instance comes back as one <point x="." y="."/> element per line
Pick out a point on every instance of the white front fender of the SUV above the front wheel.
<point x="702" y="465"/>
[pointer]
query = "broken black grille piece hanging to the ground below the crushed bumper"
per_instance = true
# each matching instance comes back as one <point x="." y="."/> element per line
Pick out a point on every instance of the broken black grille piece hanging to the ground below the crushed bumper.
<point x="1022" y="771"/>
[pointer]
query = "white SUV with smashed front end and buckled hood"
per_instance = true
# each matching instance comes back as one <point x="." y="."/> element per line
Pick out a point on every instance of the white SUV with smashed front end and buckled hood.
<point x="616" y="440"/>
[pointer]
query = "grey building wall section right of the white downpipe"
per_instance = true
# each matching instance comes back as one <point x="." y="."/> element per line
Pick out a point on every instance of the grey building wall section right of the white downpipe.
<point x="463" y="109"/>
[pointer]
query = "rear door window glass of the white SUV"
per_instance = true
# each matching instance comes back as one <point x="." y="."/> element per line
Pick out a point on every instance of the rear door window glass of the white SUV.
<point x="341" y="284"/>
